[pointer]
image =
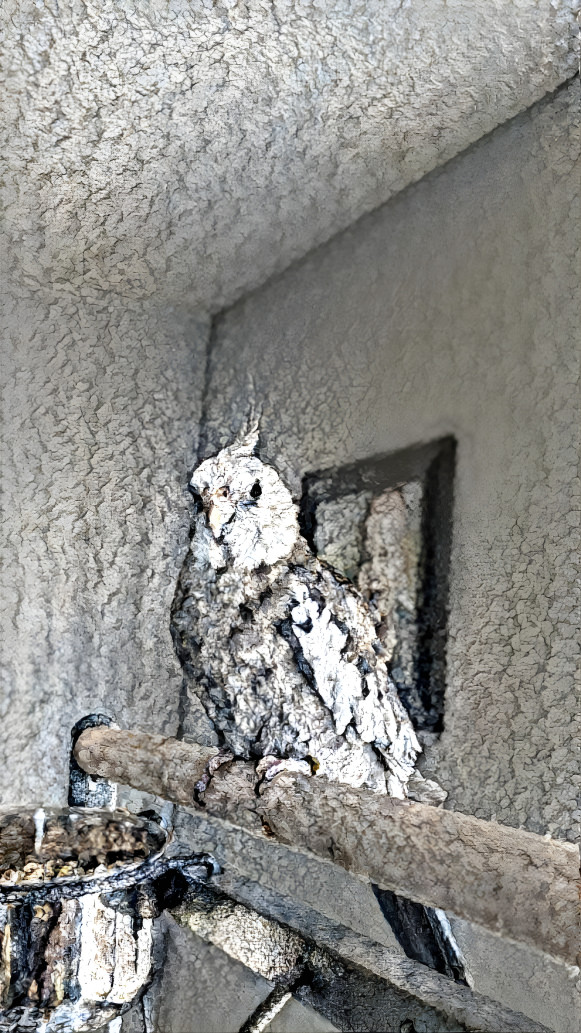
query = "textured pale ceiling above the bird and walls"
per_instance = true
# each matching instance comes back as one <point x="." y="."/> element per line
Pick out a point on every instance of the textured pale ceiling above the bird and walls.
<point x="194" y="148"/>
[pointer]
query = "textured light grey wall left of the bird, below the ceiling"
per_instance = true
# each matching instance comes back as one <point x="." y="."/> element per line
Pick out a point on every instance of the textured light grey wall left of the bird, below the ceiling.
<point x="102" y="402"/>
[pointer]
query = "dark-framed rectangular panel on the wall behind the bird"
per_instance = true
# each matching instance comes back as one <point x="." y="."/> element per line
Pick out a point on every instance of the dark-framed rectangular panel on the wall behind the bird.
<point x="386" y="523"/>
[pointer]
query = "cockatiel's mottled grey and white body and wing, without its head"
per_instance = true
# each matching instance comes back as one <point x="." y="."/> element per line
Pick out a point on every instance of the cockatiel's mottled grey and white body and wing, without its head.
<point x="285" y="664"/>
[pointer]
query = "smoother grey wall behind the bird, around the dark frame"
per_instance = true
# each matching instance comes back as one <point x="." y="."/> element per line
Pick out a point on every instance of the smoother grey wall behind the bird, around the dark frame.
<point x="454" y="310"/>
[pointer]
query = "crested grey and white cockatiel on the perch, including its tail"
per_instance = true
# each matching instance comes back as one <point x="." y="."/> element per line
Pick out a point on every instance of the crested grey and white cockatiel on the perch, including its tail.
<point x="284" y="653"/>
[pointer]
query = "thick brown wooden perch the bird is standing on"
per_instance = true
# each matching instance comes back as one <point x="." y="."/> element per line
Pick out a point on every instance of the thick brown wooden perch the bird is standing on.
<point x="513" y="883"/>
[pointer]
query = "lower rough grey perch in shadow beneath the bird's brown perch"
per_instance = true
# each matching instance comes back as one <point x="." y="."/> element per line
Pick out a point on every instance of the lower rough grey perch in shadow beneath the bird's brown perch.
<point x="332" y="974"/>
